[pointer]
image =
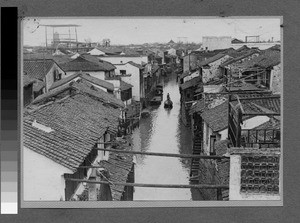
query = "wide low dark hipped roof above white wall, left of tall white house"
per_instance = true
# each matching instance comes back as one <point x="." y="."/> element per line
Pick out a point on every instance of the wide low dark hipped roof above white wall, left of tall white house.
<point x="81" y="63"/>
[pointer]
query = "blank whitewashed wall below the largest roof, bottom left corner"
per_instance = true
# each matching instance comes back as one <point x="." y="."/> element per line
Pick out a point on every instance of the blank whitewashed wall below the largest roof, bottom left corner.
<point x="42" y="178"/>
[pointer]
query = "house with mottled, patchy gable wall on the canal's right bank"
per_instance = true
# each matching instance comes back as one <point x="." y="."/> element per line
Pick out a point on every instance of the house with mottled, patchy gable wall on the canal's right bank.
<point x="209" y="68"/>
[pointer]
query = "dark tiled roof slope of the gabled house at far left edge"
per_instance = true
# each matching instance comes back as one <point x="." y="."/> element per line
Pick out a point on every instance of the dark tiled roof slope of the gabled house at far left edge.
<point x="37" y="69"/>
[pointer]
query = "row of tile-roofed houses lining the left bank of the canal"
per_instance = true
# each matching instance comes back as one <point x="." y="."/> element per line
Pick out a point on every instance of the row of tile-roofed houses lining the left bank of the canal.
<point x="74" y="107"/>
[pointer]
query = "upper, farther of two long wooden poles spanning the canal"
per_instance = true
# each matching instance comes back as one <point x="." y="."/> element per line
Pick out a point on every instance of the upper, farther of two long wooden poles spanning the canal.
<point x="164" y="154"/>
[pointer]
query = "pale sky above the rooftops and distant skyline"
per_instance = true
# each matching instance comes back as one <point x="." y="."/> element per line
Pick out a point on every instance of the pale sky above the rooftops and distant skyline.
<point x="139" y="30"/>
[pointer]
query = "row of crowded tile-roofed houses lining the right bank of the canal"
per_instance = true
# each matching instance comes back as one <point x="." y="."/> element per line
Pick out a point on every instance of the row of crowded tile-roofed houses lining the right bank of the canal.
<point x="231" y="100"/>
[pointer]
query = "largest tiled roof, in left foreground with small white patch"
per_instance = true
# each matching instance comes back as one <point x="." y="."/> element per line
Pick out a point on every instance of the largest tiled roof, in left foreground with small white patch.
<point x="78" y="122"/>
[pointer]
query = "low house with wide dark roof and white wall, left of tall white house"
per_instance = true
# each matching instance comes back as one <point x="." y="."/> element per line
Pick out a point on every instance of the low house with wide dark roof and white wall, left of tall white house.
<point x="89" y="64"/>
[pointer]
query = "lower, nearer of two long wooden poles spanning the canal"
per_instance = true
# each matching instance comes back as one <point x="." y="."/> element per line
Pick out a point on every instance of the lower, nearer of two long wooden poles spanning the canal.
<point x="203" y="186"/>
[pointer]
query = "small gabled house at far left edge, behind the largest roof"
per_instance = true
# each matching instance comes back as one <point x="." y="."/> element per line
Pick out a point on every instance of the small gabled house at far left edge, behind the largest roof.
<point x="47" y="71"/>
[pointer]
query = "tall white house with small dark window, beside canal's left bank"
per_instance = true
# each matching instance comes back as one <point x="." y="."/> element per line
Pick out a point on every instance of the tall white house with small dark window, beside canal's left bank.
<point x="132" y="73"/>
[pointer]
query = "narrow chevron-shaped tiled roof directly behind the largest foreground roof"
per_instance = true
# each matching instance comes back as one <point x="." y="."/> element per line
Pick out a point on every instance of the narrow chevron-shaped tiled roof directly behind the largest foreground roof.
<point x="84" y="76"/>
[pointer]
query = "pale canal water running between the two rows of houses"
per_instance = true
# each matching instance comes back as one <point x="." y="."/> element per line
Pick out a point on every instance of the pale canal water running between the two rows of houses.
<point x="163" y="132"/>
